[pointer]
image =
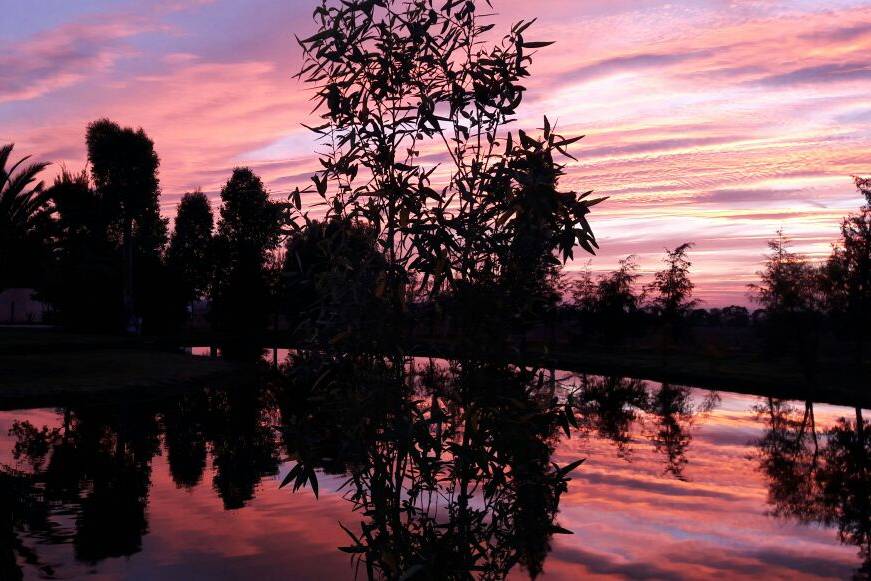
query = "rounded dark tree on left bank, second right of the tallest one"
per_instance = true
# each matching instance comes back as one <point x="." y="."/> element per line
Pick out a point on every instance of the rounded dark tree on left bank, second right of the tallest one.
<point x="248" y="231"/>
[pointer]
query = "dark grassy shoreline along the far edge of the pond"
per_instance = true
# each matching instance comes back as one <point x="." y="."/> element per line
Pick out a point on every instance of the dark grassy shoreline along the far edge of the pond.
<point x="39" y="368"/>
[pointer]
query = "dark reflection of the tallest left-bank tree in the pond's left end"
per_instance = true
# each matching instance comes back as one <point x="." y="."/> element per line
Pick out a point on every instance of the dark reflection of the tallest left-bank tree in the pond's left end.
<point x="99" y="463"/>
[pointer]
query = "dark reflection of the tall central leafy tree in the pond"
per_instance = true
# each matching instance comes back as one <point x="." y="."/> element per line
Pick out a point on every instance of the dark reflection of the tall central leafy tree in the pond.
<point x="450" y="469"/>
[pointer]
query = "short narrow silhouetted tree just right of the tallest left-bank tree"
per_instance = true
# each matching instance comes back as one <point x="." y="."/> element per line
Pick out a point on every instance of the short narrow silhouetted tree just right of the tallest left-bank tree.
<point x="190" y="252"/>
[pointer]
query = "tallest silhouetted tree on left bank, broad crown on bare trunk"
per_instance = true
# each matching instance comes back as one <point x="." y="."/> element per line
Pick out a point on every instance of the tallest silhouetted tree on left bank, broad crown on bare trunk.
<point x="124" y="170"/>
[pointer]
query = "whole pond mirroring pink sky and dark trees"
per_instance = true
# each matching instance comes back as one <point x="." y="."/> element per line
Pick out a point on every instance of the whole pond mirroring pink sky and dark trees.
<point x="436" y="469"/>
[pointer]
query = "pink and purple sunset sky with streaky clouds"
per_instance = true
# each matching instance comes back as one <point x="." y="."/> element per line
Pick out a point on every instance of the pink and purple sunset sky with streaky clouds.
<point x="706" y="120"/>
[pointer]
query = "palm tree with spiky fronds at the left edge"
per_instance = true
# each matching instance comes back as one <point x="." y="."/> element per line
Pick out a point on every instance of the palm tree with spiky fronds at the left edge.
<point x="24" y="212"/>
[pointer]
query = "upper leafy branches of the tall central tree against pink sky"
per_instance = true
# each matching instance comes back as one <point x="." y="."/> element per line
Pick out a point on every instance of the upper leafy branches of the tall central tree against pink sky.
<point x="413" y="100"/>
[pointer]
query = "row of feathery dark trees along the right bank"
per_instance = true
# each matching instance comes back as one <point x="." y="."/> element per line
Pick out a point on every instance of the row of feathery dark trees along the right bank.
<point x="798" y="301"/>
